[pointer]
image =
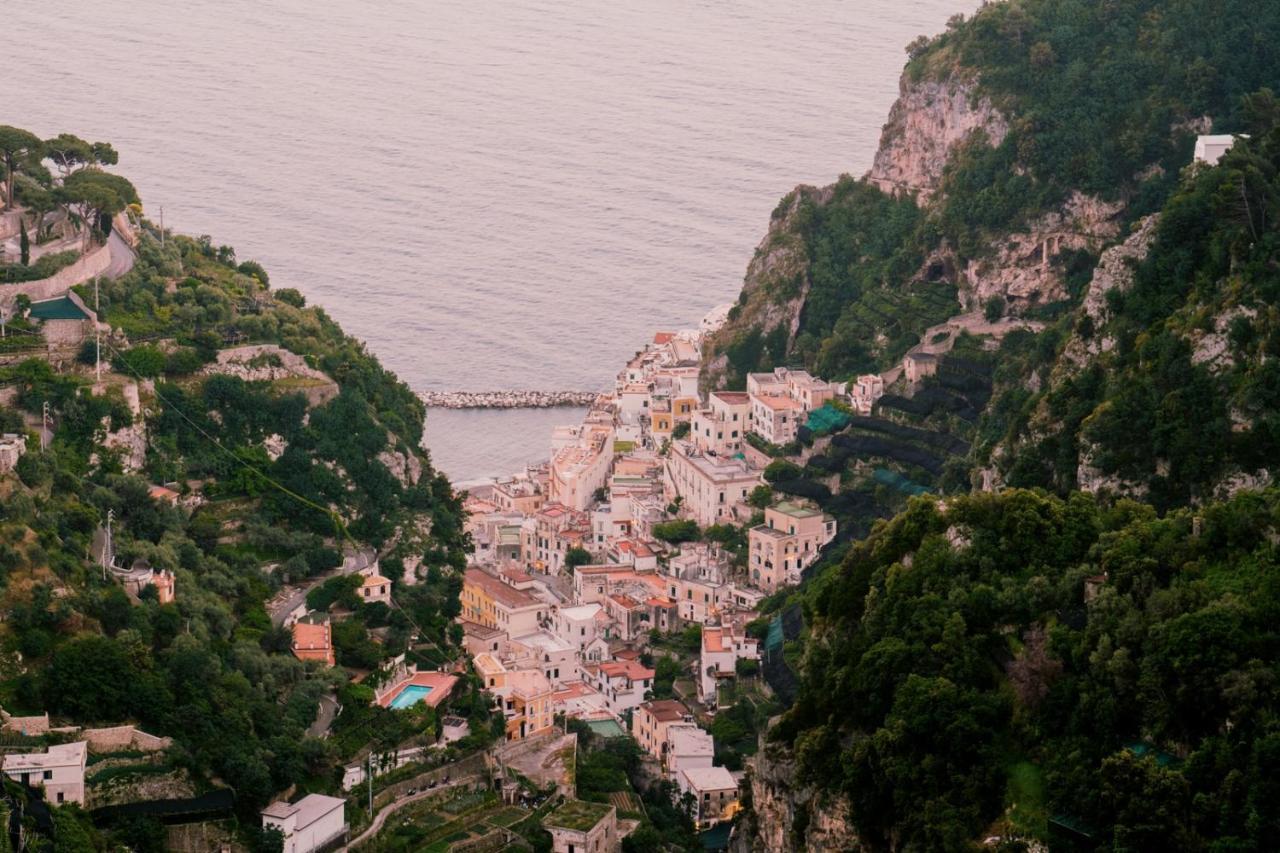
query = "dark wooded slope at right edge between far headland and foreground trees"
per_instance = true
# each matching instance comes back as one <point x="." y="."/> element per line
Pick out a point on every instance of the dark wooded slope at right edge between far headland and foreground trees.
<point x="1151" y="412"/>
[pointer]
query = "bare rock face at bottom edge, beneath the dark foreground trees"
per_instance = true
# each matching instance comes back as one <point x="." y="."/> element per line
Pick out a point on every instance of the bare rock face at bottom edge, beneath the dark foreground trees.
<point x="793" y="819"/>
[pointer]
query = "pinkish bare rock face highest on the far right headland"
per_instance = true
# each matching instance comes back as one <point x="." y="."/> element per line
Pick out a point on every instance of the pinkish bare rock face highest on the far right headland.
<point x="927" y="124"/>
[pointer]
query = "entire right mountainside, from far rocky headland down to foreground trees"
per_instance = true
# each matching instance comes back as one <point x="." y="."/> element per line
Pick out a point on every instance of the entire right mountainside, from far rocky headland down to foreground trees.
<point x="1017" y="664"/>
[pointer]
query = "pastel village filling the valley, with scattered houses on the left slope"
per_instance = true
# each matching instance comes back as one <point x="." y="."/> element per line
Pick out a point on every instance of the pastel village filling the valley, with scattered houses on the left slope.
<point x="619" y="590"/>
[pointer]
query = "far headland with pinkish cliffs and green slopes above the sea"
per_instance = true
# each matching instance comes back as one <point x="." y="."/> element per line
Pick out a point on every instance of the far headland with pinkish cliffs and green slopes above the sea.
<point x="1023" y="144"/>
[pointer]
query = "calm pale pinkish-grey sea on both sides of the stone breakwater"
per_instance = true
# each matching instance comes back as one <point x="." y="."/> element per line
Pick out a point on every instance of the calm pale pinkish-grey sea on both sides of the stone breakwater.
<point x="492" y="194"/>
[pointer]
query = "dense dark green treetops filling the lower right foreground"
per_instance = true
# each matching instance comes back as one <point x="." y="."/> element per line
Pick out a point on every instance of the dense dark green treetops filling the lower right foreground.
<point x="921" y="677"/>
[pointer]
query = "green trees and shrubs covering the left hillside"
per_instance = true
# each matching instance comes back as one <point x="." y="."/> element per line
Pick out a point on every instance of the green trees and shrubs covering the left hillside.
<point x="272" y="485"/>
